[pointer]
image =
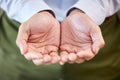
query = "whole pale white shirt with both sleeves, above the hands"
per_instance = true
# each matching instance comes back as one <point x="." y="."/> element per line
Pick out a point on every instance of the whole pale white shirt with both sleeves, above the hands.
<point x="97" y="10"/>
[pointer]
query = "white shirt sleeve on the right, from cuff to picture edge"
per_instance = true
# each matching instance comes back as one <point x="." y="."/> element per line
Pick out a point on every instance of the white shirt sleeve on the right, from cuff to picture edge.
<point x="98" y="10"/>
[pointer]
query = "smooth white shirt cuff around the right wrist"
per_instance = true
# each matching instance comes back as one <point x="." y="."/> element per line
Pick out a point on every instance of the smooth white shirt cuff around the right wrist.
<point x="93" y="9"/>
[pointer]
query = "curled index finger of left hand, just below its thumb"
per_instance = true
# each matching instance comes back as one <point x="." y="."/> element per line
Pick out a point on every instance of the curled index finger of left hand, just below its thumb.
<point x="31" y="55"/>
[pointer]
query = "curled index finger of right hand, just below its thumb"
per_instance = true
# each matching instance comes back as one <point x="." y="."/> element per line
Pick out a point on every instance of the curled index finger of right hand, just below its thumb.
<point x="87" y="54"/>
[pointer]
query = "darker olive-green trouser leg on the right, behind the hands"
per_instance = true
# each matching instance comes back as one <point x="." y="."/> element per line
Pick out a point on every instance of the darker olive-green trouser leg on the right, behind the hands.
<point x="105" y="65"/>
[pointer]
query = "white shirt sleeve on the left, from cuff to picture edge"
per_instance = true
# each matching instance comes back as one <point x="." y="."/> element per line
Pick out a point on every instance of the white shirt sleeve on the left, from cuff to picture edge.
<point x="22" y="10"/>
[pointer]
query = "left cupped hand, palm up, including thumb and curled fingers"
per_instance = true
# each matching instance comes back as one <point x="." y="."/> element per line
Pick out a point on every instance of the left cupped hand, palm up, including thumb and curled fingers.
<point x="38" y="38"/>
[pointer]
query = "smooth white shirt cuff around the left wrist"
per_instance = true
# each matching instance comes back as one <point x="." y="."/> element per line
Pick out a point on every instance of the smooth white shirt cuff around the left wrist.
<point x="29" y="8"/>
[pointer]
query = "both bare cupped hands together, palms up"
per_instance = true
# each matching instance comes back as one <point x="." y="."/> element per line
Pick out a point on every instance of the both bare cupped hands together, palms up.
<point x="78" y="38"/>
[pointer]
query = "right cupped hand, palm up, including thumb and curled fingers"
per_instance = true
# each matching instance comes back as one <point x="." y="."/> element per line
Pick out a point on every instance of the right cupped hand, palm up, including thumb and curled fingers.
<point x="81" y="38"/>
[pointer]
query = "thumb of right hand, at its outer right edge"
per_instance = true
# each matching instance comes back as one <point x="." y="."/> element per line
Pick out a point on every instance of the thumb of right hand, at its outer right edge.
<point x="98" y="41"/>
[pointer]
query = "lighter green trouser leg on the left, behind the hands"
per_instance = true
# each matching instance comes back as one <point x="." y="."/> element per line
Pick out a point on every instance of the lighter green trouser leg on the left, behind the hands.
<point x="13" y="66"/>
